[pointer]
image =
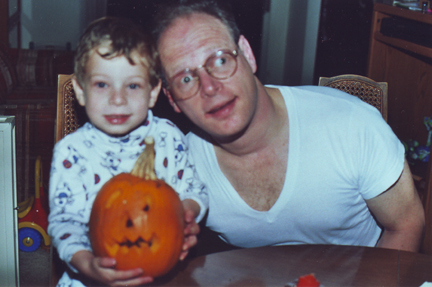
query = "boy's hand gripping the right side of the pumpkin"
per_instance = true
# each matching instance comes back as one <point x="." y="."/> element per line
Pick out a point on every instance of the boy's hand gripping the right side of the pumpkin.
<point x="191" y="230"/>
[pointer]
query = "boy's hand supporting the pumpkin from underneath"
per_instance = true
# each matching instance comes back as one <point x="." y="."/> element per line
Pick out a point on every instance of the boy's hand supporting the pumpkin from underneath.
<point x="102" y="270"/>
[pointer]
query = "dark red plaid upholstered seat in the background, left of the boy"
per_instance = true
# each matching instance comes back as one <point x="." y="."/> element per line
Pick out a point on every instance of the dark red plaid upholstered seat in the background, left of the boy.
<point x="28" y="88"/>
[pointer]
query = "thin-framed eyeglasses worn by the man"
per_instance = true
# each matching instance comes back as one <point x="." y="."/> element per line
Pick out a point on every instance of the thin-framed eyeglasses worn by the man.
<point x="234" y="53"/>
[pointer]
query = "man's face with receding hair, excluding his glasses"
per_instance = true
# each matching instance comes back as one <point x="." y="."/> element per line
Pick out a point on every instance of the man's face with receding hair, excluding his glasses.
<point x="223" y="108"/>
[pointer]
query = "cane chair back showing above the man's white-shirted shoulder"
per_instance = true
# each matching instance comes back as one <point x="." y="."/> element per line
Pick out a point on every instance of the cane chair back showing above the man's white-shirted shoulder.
<point x="369" y="91"/>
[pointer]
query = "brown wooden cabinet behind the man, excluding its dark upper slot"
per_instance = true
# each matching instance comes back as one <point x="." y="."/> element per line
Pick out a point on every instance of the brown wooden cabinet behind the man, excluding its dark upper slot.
<point x="407" y="68"/>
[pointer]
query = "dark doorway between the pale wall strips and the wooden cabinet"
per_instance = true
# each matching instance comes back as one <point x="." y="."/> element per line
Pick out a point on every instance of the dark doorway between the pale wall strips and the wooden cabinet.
<point x="343" y="38"/>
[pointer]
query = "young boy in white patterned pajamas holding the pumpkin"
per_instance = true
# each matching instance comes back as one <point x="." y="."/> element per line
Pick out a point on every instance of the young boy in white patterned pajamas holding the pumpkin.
<point x="116" y="80"/>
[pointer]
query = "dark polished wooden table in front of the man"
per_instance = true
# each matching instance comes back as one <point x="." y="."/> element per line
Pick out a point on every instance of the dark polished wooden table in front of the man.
<point x="277" y="265"/>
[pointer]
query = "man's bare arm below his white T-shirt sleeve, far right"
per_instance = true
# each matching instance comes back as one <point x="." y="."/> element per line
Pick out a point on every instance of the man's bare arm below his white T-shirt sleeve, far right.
<point x="400" y="212"/>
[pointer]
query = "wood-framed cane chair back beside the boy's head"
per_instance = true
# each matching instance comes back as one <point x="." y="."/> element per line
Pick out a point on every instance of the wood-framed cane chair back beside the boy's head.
<point x="70" y="115"/>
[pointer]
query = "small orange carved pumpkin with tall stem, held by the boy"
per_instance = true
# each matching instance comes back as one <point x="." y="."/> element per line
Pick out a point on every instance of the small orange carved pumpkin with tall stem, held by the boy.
<point x="138" y="219"/>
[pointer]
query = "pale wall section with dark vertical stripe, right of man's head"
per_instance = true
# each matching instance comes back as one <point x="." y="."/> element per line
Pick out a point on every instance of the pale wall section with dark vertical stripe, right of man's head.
<point x="290" y="33"/>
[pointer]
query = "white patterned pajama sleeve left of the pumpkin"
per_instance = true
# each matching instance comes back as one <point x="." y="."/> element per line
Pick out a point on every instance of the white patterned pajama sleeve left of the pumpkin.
<point x="69" y="210"/>
